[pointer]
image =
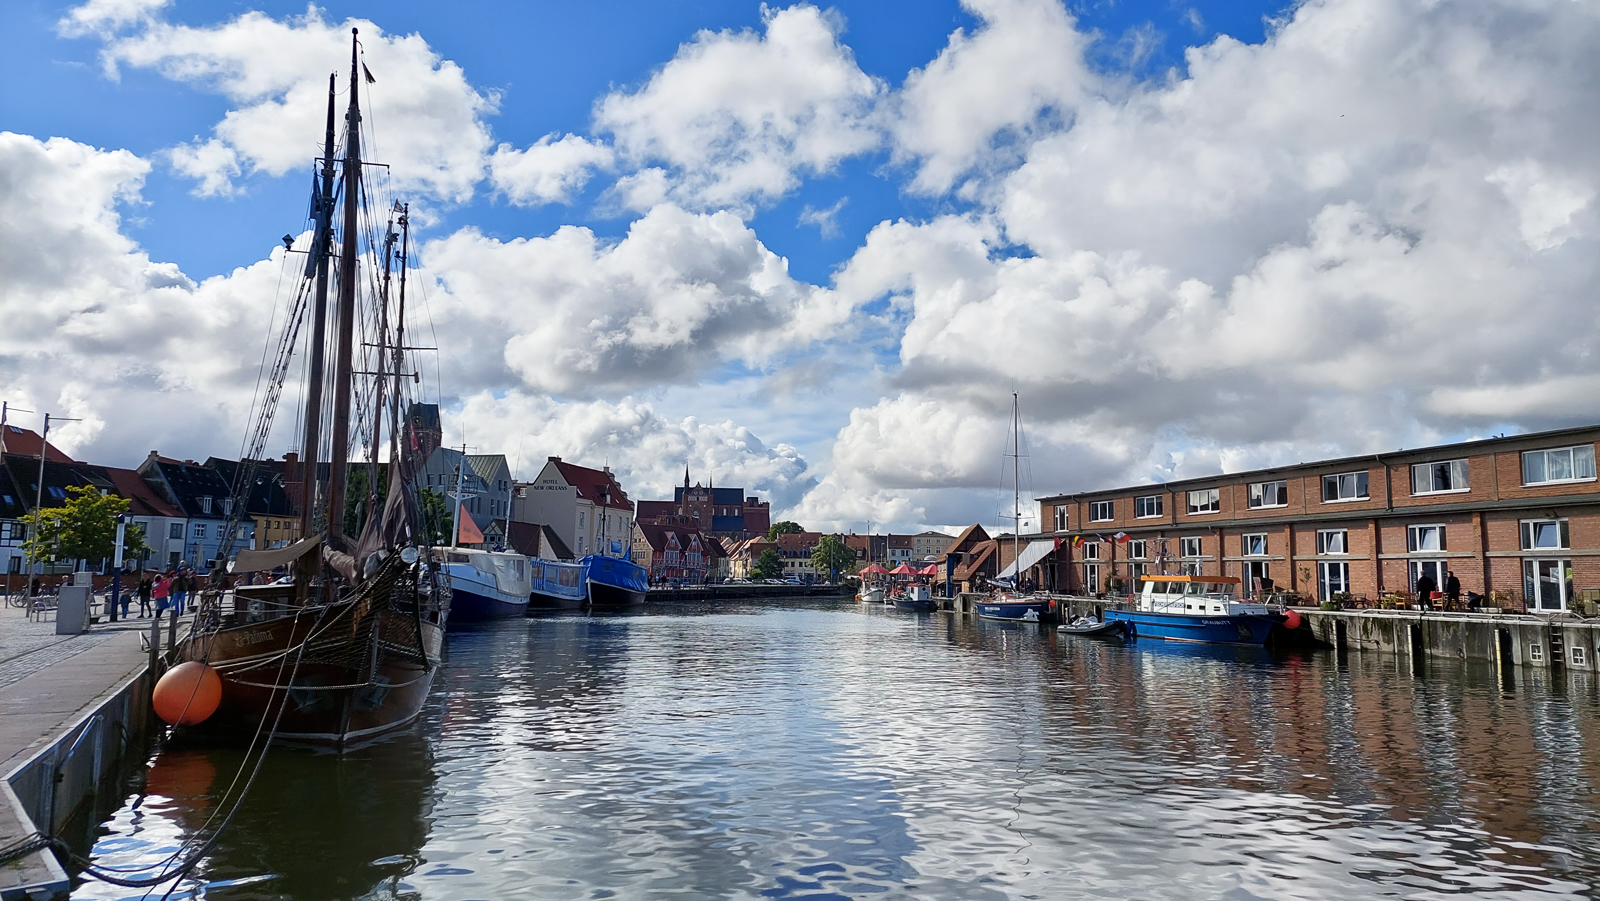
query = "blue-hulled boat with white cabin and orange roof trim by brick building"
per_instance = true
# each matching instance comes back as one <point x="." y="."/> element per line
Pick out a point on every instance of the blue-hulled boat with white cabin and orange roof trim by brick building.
<point x="1196" y="609"/>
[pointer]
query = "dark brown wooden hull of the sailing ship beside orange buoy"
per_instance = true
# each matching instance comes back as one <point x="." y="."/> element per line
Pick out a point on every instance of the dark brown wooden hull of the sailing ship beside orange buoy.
<point x="358" y="676"/>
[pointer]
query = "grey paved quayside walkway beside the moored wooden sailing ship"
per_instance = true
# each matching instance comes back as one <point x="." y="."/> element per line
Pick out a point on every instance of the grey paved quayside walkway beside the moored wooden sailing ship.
<point x="49" y="683"/>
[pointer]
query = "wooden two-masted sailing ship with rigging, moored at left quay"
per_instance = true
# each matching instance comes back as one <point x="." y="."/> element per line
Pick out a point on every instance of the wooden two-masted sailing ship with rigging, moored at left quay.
<point x="346" y="647"/>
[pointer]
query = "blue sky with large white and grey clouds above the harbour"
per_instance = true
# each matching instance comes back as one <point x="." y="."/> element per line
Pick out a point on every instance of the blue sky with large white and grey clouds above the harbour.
<point x="814" y="249"/>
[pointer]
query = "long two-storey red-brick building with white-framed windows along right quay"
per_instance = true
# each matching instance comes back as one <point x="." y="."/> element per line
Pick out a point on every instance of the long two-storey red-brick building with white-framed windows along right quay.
<point x="1513" y="515"/>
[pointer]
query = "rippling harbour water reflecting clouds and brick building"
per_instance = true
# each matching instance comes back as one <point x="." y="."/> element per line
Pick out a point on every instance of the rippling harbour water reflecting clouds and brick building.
<point x="852" y="753"/>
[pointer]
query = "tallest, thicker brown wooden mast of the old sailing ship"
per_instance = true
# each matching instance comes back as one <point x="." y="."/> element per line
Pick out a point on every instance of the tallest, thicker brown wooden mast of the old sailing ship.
<point x="340" y="462"/>
